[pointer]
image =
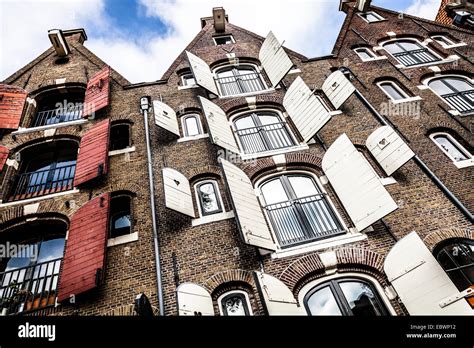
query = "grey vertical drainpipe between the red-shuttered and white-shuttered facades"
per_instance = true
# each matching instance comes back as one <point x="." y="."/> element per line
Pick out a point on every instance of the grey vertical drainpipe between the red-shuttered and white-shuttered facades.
<point x="144" y="107"/>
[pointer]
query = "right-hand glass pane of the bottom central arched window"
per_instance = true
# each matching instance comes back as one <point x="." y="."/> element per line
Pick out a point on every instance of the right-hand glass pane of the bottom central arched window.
<point x="361" y="299"/>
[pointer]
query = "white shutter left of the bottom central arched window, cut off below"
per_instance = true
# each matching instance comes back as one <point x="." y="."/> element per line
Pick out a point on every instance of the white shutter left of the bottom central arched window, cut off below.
<point x="279" y="300"/>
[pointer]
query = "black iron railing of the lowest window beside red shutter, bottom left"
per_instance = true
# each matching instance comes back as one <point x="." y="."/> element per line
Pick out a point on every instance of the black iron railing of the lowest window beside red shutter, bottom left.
<point x="29" y="288"/>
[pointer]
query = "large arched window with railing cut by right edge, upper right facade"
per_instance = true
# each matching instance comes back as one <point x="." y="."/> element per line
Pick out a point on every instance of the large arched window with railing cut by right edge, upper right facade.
<point x="457" y="91"/>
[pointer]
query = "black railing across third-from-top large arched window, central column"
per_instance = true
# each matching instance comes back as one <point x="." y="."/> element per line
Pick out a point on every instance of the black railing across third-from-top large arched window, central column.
<point x="302" y="220"/>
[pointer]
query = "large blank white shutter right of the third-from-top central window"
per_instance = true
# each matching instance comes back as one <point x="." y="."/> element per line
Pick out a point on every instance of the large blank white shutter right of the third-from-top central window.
<point x="356" y="184"/>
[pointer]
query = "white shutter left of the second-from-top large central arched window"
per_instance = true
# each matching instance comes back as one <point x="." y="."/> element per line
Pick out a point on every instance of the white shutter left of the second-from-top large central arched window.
<point x="219" y="127"/>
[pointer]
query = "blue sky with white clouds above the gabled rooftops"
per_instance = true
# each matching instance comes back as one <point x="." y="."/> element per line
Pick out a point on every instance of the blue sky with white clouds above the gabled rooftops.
<point x="141" y="38"/>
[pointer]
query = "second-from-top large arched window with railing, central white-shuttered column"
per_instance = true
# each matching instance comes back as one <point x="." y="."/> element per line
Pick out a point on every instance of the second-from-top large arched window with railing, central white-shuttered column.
<point x="262" y="131"/>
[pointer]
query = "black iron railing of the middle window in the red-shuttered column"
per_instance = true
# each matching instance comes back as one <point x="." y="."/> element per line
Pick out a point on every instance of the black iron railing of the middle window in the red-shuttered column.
<point x="43" y="182"/>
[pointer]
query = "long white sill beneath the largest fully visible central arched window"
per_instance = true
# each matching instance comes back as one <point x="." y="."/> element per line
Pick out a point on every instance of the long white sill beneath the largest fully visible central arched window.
<point x="320" y="244"/>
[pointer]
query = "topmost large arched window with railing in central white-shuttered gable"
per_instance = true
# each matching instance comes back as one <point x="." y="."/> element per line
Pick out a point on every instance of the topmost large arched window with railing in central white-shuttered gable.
<point x="240" y="79"/>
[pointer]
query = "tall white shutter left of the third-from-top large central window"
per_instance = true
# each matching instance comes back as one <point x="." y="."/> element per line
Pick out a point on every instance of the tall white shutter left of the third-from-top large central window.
<point x="247" y="208"/>
